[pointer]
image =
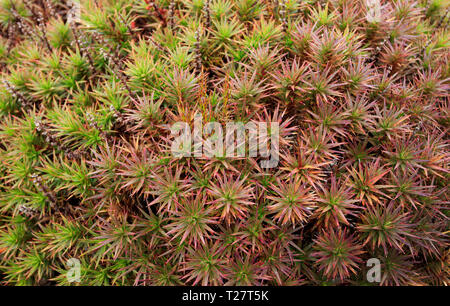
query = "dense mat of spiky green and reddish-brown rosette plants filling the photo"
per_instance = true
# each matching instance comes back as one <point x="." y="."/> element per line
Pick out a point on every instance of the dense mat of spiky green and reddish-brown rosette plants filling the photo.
<point x="87" y="172"/>
